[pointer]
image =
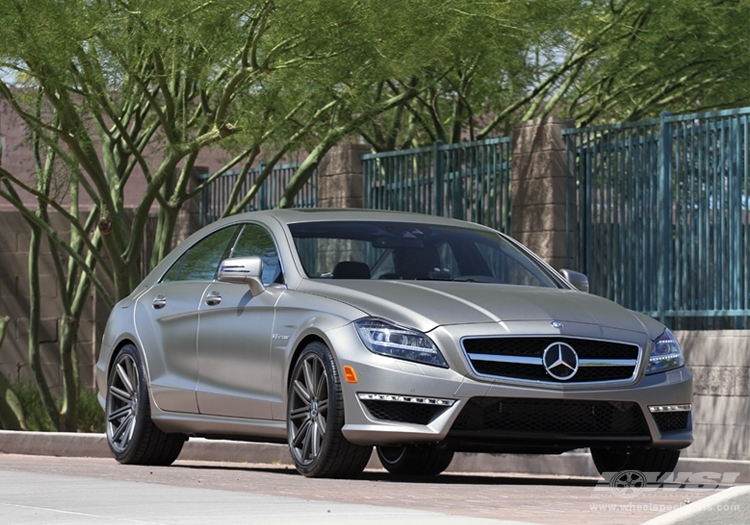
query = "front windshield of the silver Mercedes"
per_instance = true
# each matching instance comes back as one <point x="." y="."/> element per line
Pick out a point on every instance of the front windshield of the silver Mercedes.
<point x="403" y="250"/>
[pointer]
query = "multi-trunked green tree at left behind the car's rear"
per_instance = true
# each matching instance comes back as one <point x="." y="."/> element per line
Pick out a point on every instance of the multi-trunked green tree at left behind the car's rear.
<point x="113" y="91"/>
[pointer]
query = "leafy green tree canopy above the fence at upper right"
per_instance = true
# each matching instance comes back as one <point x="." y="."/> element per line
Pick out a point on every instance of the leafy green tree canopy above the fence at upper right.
<point x="595" y="62"/>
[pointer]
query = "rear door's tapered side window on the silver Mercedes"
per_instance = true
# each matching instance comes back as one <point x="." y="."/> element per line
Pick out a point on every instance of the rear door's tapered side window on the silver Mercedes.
<point x="202" y="260"/>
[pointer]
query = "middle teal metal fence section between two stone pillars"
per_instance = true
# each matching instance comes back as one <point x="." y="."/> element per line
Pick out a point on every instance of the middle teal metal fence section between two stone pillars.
<point x="469" y="180"/>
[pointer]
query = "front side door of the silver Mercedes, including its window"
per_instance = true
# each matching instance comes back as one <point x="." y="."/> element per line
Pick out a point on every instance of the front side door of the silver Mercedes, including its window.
<point x="235" y="333"/>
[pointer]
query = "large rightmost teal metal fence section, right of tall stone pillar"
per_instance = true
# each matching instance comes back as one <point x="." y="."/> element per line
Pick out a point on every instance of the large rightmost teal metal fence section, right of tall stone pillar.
<point x="662" y="212"/>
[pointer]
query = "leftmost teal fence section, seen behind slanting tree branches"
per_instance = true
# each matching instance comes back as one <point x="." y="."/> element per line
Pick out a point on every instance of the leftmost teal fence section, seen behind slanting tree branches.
<point x="214" y="197"/>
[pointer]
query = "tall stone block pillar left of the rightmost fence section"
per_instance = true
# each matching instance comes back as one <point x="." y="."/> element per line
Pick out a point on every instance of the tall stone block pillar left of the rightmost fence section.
<point x="539" y="185"/>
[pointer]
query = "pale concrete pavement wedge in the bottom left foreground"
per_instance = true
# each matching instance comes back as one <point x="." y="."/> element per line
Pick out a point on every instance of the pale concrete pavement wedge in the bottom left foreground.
<point x="38" y="499"/>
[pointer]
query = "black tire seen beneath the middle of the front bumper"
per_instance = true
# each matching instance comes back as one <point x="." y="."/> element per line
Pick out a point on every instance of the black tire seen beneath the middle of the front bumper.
<point x="415" y="461"/>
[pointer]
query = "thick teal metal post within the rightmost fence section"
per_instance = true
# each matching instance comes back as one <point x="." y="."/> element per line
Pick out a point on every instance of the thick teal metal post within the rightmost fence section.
<point x="665" y="216"/>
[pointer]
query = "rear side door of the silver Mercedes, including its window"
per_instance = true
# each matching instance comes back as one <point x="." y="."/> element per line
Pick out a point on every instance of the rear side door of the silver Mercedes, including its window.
<point x="167" y="321"/>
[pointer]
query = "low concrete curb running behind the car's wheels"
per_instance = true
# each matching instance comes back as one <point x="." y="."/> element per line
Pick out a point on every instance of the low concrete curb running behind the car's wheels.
<point x="197" y="449"/>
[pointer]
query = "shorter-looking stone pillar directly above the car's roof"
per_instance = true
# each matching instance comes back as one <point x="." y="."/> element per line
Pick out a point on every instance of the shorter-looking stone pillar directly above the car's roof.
<point x="340" y="177"/>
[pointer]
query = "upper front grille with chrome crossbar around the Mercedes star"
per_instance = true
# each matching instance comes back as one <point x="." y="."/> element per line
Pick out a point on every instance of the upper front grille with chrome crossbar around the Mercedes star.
<point x="521" y="358"/>
